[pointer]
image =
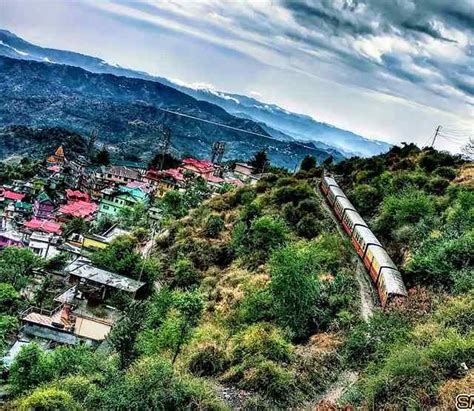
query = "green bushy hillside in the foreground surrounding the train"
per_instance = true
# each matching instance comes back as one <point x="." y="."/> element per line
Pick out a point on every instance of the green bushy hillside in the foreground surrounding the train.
<point x="252" y="299"/>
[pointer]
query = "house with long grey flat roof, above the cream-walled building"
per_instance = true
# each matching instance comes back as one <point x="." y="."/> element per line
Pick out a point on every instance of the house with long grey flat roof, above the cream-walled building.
<point x="97" y="283"/>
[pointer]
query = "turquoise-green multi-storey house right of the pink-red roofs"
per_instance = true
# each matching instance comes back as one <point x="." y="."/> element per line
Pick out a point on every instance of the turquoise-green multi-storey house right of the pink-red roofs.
<point x="113" y="201"/>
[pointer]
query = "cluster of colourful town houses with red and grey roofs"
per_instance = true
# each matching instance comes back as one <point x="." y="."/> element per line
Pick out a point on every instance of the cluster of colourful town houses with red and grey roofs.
<point x="35" y="214"/>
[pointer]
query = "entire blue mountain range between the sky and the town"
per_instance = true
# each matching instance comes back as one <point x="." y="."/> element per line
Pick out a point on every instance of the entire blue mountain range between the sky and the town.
<point x="49" y="87"/>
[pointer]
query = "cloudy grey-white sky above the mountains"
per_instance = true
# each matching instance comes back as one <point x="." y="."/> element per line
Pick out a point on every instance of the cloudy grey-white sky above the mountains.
<point x="387" y="69"/>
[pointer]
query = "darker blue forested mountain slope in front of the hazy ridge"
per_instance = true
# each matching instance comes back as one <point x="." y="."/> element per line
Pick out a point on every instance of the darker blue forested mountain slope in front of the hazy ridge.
<point x="49" y="95"/>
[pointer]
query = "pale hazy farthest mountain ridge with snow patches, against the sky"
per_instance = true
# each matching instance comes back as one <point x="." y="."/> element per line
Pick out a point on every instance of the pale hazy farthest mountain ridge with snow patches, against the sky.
<point x="279" y="123"/>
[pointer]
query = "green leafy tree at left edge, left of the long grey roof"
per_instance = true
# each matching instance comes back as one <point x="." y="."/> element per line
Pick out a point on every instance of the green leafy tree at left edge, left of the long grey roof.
<point x="17" y="265"/>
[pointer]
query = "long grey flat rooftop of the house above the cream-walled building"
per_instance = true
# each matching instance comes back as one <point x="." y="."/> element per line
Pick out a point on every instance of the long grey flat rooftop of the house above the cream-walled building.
<point x="82" y="268"/>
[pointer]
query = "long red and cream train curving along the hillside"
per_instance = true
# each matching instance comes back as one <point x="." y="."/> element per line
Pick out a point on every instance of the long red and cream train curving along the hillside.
<point x="382" y="270"/>
